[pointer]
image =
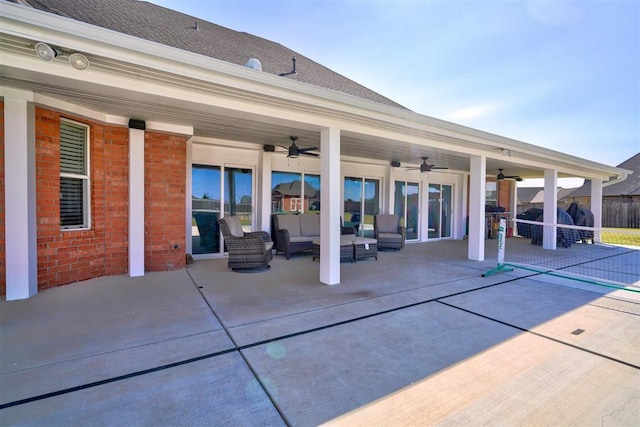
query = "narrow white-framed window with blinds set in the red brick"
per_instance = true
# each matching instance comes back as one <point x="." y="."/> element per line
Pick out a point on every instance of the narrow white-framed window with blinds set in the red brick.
<point x="74" y="175"/>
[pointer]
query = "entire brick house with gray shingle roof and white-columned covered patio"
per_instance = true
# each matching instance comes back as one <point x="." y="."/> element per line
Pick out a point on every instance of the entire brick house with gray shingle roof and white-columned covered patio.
<point x="114" y="112"/>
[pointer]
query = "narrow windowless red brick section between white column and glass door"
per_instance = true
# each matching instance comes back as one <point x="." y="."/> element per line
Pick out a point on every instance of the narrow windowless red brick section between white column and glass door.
<point x="165" y="182"/>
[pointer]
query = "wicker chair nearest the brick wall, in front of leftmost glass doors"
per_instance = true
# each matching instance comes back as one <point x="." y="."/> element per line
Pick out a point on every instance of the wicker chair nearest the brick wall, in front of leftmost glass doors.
<point x="246" y="250"/>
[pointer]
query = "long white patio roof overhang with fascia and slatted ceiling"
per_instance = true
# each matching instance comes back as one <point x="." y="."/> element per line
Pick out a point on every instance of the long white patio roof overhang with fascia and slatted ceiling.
<point x="176" y="90"/>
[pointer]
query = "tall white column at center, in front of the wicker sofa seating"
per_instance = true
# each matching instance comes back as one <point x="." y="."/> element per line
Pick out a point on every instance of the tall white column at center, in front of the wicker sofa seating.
<point x="330" y="206"/>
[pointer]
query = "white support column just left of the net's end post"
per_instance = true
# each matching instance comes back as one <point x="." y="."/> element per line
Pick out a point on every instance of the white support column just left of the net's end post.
<point x="477" y="194"/>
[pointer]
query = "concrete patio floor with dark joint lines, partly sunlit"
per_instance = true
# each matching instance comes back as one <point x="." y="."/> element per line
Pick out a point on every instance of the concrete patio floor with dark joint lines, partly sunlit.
<point x="415" y="338"/>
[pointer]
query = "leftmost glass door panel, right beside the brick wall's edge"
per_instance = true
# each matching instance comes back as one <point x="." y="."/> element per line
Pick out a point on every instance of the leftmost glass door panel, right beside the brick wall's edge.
<point x="205" y="209"/>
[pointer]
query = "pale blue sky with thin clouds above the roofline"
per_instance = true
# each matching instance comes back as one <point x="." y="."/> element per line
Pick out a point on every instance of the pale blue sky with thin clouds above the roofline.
<point x="560" y="74"/>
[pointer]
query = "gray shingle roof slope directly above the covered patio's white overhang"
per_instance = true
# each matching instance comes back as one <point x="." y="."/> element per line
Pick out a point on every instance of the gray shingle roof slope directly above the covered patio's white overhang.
<point x="155" y="23"/>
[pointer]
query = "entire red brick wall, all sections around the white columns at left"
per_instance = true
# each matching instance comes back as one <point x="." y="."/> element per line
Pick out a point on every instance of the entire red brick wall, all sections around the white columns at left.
<point x="76" y="255"/>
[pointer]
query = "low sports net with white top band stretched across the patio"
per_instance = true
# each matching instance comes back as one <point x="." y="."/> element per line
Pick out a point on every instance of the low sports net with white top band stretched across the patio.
<point x="600" y="256"/>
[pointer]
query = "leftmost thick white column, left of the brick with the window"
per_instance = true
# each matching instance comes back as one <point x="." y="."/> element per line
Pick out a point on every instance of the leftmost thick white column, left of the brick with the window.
<point x="20" y="199"/>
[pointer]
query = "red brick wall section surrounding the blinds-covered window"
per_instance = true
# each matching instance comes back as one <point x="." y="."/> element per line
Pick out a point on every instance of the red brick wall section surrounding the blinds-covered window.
<point x="74" y="255"/>
